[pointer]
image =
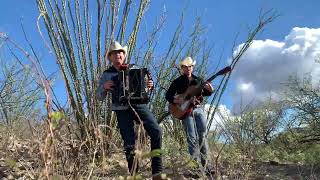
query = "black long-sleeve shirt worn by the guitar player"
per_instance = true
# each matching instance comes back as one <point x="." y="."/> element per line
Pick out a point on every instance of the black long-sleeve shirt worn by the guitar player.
<point x="181" y="84"/>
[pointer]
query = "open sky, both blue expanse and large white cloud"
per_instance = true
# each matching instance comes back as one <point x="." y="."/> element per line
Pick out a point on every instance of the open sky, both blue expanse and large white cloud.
<point x="287" y="46"/>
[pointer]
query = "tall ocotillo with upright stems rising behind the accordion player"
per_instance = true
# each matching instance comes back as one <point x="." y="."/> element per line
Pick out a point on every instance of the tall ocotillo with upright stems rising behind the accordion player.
<point x="79" y="45"/>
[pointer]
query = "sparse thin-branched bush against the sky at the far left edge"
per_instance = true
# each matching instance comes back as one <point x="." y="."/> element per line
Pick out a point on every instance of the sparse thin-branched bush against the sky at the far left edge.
<point x="19" y="93"/>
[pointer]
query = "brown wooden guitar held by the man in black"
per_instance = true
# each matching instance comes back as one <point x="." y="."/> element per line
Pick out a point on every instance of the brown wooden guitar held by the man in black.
<point x="190" y="97"/>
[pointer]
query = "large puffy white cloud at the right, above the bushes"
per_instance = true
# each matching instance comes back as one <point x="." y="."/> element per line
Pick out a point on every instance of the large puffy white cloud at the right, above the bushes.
<point x="268" y="63"/>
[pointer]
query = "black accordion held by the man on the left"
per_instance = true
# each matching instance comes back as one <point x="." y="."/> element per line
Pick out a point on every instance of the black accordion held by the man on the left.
<point x="131" y="85"/>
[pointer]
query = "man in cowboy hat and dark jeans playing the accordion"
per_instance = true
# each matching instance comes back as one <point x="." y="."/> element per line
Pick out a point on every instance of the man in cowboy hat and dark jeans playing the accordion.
<point x="125" y="114"/>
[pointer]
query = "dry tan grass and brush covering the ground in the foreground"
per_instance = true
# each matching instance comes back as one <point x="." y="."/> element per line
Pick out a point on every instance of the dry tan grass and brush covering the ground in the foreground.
<point x="21" y="152"/>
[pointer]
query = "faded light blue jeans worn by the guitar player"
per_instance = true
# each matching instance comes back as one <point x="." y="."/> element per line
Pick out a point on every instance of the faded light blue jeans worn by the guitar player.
<point x="195" y="128"/>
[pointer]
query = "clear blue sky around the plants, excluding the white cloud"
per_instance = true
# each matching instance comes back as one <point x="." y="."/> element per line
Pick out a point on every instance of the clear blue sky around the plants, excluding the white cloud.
<point x="223" y="18"/>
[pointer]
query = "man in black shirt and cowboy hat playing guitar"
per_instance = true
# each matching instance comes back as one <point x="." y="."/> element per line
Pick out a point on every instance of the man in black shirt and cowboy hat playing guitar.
<point x="195" y="122"/>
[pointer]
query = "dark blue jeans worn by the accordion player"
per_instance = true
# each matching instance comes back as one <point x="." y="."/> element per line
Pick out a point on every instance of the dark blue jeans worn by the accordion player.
<point x="126" y="125"/>
